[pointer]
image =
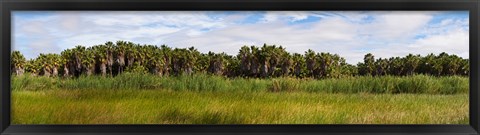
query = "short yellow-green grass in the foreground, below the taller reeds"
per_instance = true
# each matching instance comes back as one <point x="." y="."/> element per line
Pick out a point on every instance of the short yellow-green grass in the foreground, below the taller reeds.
<point x="106" y="106"/>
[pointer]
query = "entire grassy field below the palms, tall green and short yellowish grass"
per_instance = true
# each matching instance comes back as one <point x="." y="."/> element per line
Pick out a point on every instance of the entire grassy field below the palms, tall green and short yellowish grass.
<point x="142" y="99"/>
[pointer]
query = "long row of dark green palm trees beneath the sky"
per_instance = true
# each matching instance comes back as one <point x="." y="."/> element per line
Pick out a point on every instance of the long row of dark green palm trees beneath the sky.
<point x="111" y="59"/>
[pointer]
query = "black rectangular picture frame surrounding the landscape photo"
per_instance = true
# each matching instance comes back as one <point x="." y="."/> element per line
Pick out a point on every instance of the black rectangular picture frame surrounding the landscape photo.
<point x="6" y="6"/>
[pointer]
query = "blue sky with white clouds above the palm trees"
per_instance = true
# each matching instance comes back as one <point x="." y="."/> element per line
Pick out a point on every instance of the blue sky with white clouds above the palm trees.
<point x="351" y="34"/>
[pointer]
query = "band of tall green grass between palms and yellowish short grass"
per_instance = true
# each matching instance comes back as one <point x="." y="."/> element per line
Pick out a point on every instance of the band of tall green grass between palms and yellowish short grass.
<point x="203" y="82"/>
